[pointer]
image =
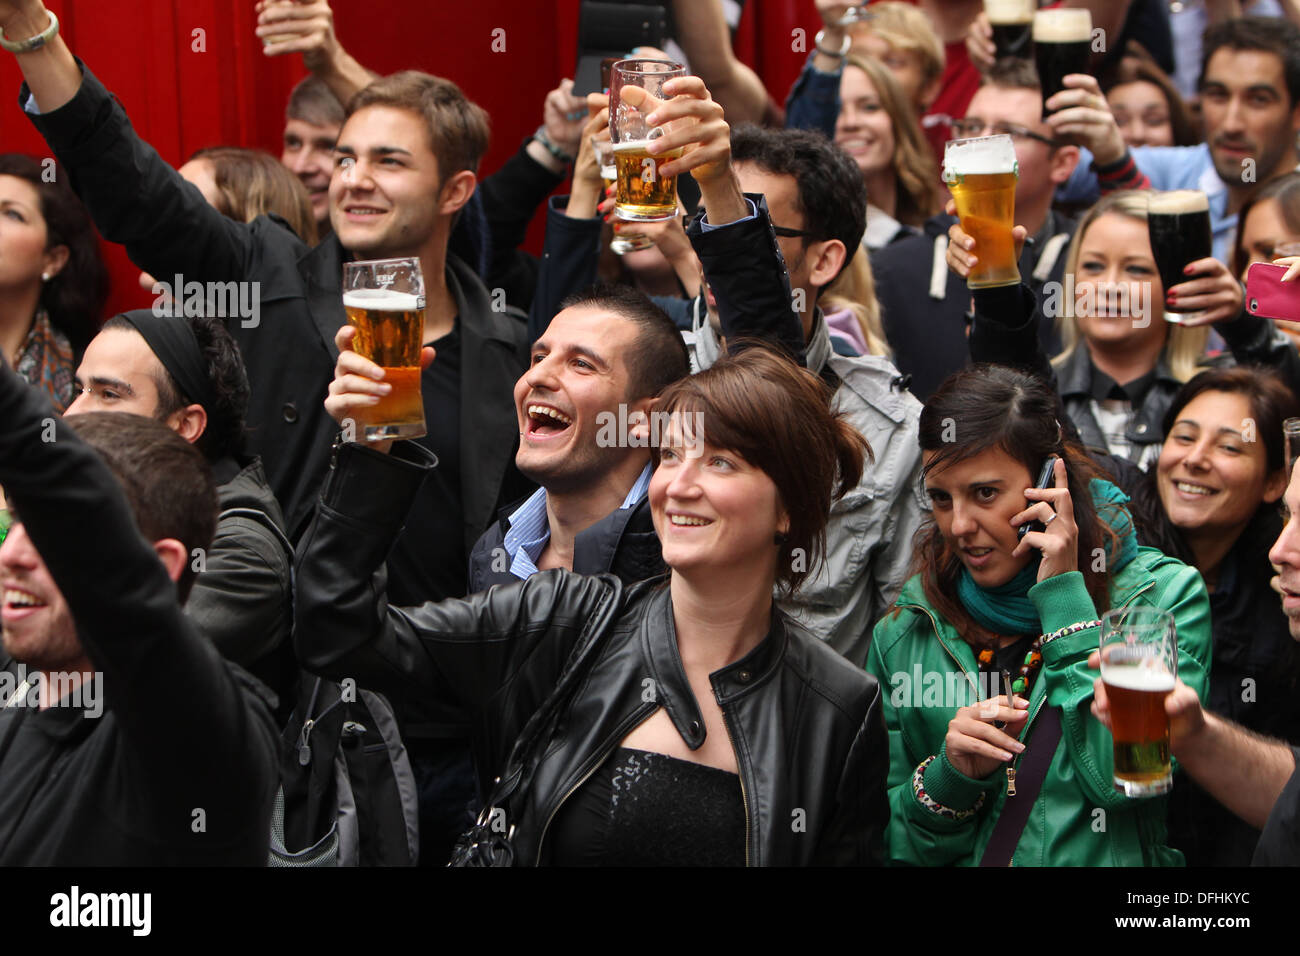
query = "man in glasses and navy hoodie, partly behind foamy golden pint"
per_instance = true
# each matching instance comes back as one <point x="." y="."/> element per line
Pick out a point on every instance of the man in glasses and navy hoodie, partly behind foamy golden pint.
<point x="924" y="306"/>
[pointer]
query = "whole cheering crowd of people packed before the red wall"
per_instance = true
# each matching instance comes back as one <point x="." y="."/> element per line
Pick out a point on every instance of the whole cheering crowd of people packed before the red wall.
<point x="240" y="630"/>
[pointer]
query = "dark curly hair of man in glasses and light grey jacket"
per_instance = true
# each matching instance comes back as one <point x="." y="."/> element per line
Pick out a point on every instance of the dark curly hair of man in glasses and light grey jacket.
<point x="831" y="194"/>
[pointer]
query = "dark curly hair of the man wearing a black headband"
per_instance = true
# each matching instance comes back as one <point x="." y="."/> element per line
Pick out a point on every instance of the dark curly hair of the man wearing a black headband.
<point x="224" y="436"/>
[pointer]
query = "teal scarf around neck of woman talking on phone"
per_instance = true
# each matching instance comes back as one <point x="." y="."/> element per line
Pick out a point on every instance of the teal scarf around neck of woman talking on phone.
<point x="1008" y="609"/>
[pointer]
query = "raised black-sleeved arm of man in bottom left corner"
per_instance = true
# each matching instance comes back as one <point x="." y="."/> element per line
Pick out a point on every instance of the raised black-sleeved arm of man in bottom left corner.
<point x="189" y="729"/>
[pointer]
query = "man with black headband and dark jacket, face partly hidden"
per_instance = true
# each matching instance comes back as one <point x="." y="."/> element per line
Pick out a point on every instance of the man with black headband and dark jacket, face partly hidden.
<point x="244" y="598"/>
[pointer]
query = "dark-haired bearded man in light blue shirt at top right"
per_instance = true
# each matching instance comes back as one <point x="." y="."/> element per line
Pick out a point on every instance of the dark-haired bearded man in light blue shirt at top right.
<point x="1250" y="97"/>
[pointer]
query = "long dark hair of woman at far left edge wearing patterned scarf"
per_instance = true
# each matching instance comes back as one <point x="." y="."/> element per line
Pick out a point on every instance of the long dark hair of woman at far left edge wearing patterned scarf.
<point x="76" y="297"/>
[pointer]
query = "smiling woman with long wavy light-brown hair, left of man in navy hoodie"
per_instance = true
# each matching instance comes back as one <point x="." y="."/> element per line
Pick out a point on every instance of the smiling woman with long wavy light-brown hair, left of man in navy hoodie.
<point x="879" y="131"/>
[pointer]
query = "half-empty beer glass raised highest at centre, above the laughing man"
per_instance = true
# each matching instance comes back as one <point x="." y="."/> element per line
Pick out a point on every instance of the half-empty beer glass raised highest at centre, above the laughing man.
<point x="644" y="194"/>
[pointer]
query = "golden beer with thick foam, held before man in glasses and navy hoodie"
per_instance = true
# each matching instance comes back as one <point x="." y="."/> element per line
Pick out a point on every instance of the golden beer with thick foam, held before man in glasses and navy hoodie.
<point x="981" y="174"/>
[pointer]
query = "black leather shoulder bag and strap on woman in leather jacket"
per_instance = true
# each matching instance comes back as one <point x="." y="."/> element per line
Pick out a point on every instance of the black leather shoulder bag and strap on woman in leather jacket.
<point x="491" y="841"/>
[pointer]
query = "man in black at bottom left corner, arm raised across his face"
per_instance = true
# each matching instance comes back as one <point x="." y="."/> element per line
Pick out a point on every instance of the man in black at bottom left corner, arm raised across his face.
<point x="181" y="765"/>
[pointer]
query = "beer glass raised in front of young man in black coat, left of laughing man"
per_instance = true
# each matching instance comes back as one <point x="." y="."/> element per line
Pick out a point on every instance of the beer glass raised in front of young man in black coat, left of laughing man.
<point x="385" y="302"/>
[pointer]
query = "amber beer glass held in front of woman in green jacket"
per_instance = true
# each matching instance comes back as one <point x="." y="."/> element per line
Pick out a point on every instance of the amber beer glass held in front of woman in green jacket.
<point x="1139" y="665"/>
